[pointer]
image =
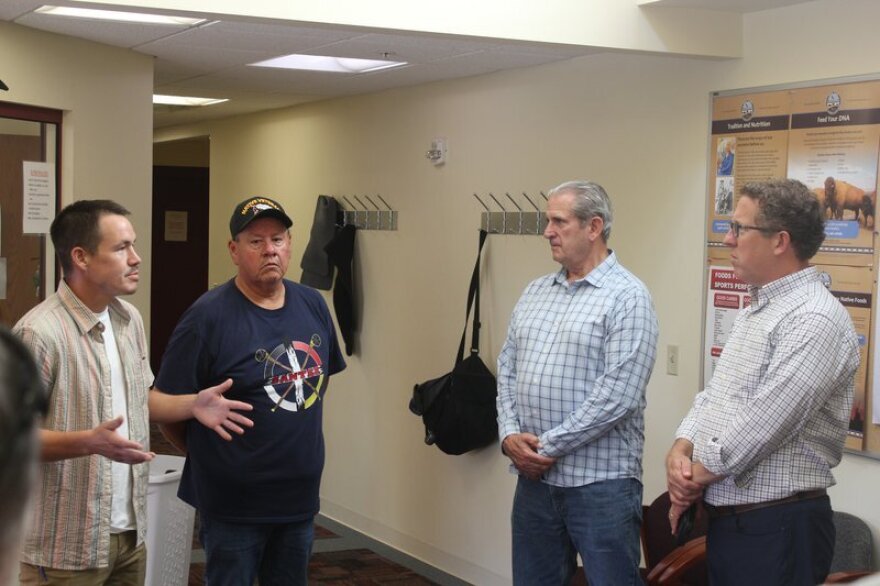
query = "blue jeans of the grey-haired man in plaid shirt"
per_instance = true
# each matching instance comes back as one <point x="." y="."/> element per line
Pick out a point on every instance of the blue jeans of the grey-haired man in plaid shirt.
<point x="600" y="521"/>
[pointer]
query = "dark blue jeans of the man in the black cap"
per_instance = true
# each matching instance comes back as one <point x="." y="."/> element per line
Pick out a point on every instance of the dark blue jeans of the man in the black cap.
<point x="237" y="553"/>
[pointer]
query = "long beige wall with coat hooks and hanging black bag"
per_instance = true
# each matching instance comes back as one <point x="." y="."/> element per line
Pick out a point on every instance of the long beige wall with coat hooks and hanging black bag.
<point x="637" y="124"/>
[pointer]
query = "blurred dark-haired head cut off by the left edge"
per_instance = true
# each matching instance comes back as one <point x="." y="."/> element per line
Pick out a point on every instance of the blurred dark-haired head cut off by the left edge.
<point x="22" y="400"/>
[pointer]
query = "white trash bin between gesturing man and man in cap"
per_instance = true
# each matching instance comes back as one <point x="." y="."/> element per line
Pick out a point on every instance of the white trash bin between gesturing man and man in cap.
<point x="169" y="525"/>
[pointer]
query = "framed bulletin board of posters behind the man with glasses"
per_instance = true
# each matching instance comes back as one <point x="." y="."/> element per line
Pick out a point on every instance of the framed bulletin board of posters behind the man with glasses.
<point x="825" y="134"/>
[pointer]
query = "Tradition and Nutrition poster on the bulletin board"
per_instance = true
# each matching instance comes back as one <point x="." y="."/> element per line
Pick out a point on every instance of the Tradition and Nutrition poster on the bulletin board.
<point x="749" y="143"/>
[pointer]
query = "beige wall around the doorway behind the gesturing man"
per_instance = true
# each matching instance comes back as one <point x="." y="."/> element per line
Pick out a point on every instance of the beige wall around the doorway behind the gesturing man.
<point x="105" y="93"/>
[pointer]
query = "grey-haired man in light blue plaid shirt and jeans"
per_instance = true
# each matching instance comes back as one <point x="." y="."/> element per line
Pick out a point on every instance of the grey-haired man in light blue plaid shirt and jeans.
<point x="571" y="399"/>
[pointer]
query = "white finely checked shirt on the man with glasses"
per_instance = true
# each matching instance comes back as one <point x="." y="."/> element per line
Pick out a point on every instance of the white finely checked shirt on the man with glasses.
<point x="774" y="416"/>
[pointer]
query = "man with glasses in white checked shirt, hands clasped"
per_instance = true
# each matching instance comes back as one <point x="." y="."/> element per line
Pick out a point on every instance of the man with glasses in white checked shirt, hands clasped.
<point x="763" y="435"/>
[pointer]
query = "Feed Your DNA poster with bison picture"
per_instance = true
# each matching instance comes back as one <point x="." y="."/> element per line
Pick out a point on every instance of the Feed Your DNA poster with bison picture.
<point x="833" y="148"/>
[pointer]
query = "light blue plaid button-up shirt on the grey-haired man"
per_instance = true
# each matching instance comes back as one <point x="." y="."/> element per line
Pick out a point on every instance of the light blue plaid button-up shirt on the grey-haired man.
<point x="573" y="371"/>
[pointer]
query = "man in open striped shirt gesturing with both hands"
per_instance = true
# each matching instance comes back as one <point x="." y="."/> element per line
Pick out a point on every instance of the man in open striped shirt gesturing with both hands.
<point x="89" y="516"/>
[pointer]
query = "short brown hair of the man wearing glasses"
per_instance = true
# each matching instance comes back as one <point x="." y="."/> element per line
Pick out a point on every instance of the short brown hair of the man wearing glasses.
<point x="788" y="205"/>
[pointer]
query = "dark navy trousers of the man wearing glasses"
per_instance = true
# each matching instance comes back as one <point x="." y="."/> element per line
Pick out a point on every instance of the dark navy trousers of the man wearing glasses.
<point x="785" y="545"/>
